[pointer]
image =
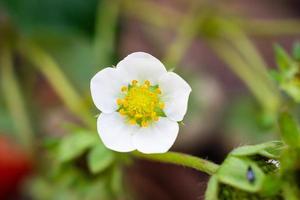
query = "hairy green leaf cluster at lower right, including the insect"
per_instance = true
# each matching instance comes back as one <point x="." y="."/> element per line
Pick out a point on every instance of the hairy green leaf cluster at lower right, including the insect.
<point x="233" y="181"/>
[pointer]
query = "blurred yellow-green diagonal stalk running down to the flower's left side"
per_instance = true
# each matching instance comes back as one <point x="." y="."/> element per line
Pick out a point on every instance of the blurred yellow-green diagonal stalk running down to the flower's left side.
<point x="52" y="72"/>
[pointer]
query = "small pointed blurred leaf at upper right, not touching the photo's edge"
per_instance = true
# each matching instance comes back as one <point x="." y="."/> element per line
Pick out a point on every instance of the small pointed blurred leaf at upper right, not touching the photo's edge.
<point x="283" y="60"/>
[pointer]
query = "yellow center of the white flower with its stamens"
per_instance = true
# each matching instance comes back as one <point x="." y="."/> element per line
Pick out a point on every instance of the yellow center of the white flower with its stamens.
<point x="141" y="103"/>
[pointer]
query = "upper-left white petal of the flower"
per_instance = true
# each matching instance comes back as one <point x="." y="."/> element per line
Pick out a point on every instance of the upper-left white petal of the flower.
<point x="105" y="89"/>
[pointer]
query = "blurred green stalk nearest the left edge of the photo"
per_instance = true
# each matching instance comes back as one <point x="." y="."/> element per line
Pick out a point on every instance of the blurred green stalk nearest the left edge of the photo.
<point x="14" y="99"/>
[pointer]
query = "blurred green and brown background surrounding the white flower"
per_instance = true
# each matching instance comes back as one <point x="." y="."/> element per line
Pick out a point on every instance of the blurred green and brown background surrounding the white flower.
<point x="50" y="49"/>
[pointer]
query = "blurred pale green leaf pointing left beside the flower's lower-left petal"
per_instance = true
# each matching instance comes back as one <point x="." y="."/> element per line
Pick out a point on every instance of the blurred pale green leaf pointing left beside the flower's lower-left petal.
<point x="75" y="145"/>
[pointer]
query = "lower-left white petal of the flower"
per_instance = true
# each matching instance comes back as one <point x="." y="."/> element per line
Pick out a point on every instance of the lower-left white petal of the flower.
<point x="115" y="133"/>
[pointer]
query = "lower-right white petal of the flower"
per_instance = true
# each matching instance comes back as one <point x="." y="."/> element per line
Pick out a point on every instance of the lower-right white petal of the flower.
<point x="157" y="138"/>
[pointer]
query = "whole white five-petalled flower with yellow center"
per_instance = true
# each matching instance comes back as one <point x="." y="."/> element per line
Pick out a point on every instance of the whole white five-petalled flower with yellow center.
<point x="141" y="104"/>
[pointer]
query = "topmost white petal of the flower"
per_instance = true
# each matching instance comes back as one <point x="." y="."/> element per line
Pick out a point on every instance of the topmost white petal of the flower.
<point x="142" y="66"/>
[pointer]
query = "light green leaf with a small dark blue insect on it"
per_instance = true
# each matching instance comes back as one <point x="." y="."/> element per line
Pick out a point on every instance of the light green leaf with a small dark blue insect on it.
<point x="234" y="171"/>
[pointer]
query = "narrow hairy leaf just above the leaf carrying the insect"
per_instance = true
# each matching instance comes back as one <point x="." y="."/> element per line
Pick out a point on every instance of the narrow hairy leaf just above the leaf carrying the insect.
<point x="269" y="149"/>
